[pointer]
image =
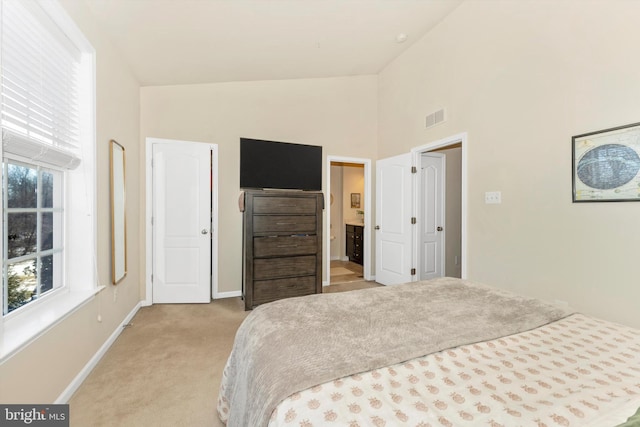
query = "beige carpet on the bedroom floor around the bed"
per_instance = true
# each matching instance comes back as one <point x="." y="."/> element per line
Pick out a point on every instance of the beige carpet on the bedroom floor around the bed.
<point x="165" y="369"/>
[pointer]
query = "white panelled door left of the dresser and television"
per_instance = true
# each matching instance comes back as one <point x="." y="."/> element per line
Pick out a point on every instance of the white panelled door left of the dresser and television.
<point x="181" y="222"/>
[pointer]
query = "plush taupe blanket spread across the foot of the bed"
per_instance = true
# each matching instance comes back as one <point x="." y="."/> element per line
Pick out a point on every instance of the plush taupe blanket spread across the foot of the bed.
<point x="293" y="344"/>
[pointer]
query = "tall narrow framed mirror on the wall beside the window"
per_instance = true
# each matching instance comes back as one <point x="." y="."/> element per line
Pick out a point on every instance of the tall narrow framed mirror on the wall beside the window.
<point x="118" y="221"/>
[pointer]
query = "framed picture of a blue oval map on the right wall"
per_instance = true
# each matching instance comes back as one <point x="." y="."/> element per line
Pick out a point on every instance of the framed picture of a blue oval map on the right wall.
<point x="606" y="165"/>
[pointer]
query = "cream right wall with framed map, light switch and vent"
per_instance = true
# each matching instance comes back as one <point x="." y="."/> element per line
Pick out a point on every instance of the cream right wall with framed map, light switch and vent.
<point x="521" y="78"/>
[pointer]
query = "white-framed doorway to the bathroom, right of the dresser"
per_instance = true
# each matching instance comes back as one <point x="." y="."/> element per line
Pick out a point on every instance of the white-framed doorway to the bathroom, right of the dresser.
<point x="348" y="247"/>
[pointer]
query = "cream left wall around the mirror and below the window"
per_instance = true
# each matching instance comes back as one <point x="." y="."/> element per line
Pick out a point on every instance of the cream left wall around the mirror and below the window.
<point x="42" y="371"/>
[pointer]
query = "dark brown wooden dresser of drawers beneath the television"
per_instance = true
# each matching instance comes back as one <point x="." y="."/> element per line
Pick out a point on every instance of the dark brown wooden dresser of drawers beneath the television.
<point x="282" y="245"/>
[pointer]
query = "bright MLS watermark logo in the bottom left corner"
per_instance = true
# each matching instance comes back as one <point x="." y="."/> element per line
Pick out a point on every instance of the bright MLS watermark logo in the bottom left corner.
<point x="34" y="415"/>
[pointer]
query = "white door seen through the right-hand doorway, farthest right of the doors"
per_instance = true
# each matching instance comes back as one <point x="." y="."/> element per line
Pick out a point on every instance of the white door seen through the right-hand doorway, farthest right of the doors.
<point x="432" y="231"/>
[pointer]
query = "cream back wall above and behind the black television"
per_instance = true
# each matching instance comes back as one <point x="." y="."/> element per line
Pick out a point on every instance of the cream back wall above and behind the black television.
<point x="336" y="113"/>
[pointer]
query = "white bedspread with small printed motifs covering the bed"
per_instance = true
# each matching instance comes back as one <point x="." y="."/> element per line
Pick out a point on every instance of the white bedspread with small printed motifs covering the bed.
<point x="578" y="371"/>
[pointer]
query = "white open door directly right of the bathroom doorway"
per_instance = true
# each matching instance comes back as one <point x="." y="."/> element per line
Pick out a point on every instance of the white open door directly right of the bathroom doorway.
<point x="393" y="220"/>
